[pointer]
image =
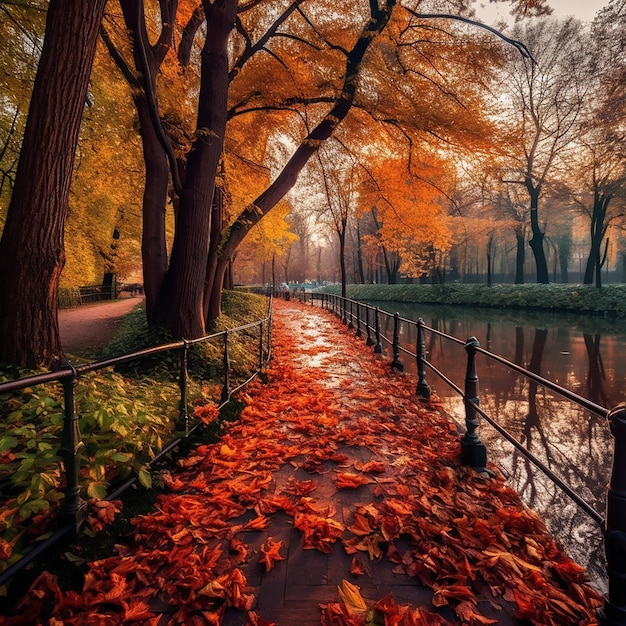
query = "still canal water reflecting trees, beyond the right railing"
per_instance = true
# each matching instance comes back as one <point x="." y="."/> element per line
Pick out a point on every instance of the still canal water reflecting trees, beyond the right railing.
<point x="581" y="353"/>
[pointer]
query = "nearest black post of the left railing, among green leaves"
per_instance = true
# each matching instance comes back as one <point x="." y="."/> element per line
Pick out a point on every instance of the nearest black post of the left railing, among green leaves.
<point x="74" y="508"/>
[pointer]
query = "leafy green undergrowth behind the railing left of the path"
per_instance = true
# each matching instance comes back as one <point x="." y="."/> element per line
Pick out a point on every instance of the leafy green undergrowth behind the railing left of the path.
<point x="126" y="418"/>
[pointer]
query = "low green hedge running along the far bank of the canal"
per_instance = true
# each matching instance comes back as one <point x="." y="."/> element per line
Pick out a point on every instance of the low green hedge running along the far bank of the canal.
<point x="610" y="300"/>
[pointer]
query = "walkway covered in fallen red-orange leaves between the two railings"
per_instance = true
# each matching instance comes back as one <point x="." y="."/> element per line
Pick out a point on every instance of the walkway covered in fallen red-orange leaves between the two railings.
<point x="337" y="499"/>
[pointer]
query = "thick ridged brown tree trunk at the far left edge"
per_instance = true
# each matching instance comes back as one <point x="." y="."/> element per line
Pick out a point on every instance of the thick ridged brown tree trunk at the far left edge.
<point x="32" y="251"/>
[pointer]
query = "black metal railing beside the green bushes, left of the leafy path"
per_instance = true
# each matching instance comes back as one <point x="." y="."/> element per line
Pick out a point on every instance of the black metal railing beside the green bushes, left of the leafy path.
<point x="71" y="515"/>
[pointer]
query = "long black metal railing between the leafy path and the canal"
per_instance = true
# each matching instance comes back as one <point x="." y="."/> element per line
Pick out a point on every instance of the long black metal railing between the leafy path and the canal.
<point x="366" y="319"/>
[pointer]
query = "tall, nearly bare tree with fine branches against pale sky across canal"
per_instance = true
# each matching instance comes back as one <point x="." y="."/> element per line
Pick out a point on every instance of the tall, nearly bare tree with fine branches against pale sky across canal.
<point x="545" y="98"/>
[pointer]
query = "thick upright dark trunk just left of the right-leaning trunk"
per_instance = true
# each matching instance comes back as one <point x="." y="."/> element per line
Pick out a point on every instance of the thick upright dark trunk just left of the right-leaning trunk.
<point x="180" y="305"/>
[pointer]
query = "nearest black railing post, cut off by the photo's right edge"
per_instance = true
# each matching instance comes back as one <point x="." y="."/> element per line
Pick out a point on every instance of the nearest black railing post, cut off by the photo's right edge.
<point x="614" y="612"/>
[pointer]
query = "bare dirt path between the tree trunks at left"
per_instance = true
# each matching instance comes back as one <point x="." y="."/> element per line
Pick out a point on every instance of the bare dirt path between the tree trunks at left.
<point x="90" y="327"/>
